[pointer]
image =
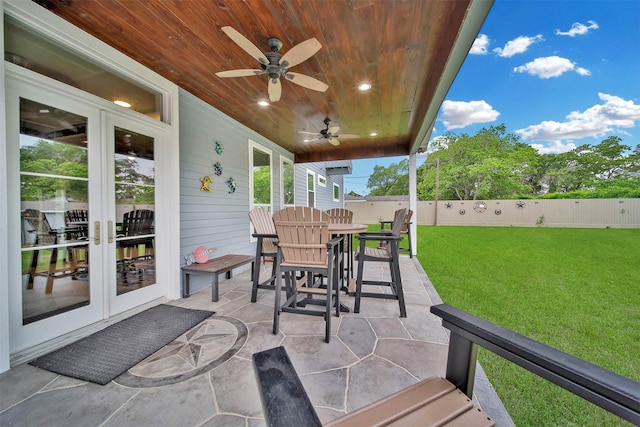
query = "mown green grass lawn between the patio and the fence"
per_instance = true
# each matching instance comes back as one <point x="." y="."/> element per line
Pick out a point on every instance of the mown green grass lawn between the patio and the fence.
<point x="577" y="290"/>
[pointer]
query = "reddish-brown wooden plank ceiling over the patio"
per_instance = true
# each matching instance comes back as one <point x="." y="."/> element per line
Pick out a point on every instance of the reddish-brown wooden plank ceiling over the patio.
<point x="401" y="47"/>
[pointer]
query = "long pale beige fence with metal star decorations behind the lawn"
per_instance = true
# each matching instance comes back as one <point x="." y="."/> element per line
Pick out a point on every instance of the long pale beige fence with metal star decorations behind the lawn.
<point x="576" y="213"/>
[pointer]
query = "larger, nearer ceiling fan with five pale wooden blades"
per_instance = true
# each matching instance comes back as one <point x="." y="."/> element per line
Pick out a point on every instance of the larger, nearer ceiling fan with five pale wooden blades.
<point x="275" y="64"/>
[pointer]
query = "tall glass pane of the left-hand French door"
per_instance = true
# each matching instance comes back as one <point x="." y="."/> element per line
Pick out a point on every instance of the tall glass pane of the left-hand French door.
<point x="53" y="202"/>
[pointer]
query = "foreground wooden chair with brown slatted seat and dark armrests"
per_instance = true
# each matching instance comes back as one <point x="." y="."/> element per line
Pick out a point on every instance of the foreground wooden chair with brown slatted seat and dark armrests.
<point x="438" y="401"/>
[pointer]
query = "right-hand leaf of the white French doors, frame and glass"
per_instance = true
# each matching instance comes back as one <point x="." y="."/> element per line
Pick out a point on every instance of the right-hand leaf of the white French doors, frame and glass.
<point x="131" y="204"/>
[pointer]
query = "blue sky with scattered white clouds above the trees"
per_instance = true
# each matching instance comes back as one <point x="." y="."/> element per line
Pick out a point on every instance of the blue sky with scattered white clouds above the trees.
<point x="559" y="74"/>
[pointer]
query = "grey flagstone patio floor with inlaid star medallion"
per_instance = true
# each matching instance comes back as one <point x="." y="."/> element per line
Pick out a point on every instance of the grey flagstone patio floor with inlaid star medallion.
<point x="206" y="377"/>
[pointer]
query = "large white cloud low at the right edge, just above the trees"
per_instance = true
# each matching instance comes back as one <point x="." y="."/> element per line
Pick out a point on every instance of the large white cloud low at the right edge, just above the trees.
<point x="610" y="116"/>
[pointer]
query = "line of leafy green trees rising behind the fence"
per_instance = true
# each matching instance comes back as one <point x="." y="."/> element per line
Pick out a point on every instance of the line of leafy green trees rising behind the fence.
<point x="494" y="164"/>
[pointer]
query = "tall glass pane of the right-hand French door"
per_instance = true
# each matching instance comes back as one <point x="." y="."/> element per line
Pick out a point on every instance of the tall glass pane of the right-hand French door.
<point x="135" y="210"/>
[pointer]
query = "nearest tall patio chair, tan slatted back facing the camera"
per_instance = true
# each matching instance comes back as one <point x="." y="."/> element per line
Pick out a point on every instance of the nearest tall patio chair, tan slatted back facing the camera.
<point x="305" y="245"/>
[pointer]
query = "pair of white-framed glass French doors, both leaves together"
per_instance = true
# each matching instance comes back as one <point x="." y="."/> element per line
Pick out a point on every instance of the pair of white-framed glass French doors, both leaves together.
<point x="77" y="170"/>
